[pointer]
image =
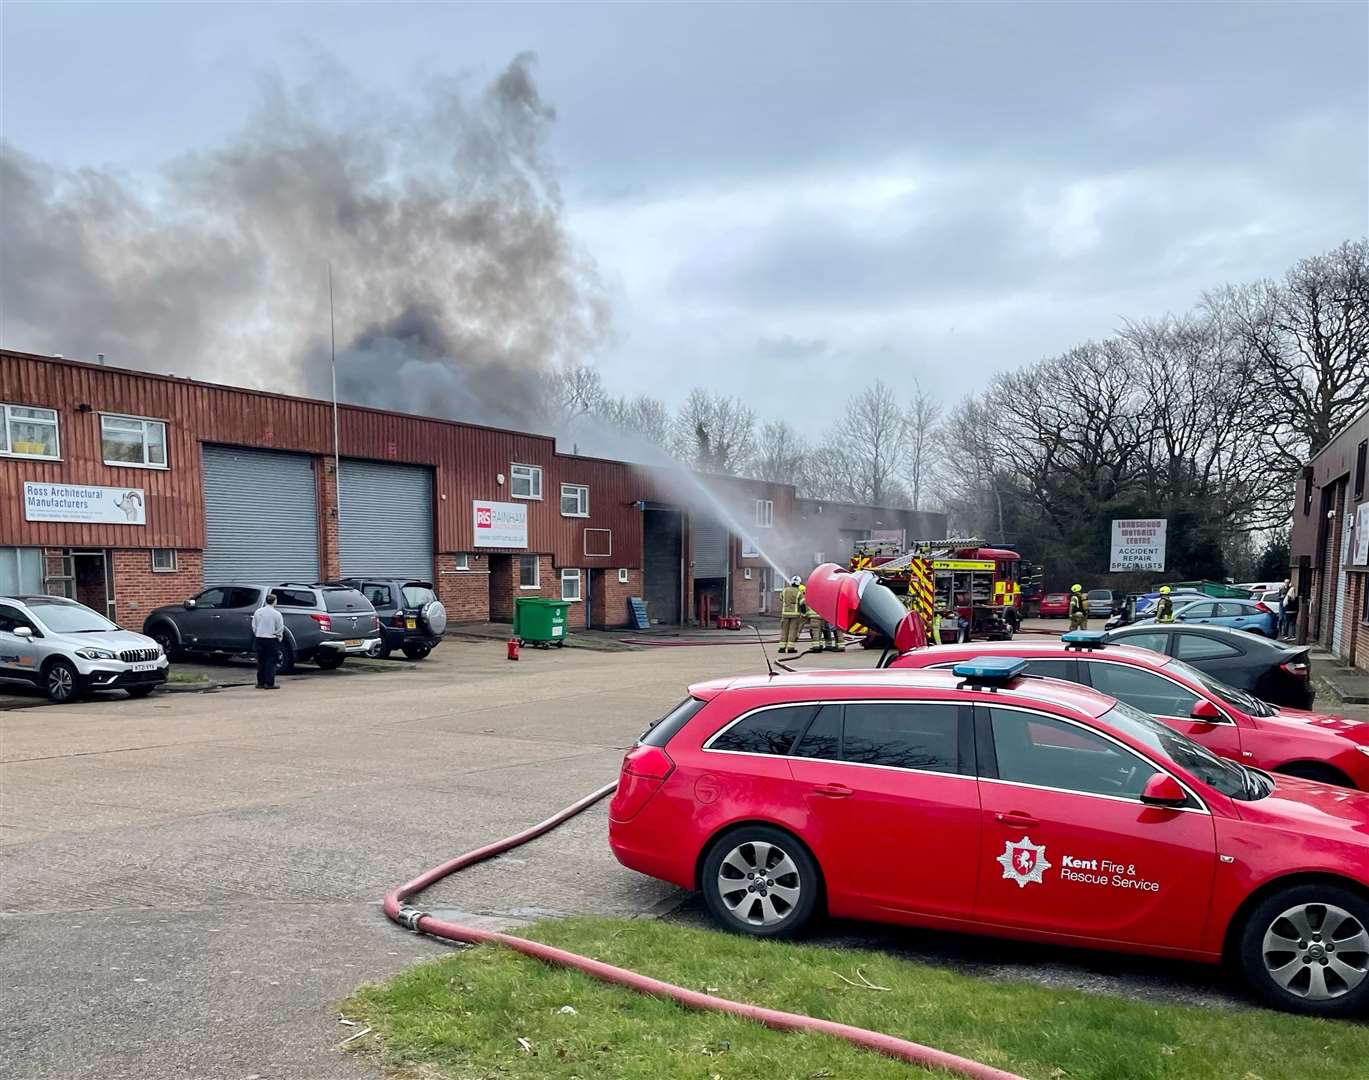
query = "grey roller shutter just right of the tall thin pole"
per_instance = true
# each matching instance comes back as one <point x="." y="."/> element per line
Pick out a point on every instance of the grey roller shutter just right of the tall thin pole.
<point x="387" y="521"/>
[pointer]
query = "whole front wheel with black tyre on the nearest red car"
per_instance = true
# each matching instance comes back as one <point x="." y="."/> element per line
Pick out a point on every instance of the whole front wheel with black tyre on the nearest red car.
<point x="1307" y="951"/>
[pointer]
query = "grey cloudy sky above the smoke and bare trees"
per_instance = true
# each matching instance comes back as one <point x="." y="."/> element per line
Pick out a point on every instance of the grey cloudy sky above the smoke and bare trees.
<point x="785" y="199"/>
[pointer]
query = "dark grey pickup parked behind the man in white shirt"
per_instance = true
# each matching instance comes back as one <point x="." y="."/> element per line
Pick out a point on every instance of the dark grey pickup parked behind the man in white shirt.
<point x="322" y="623"/>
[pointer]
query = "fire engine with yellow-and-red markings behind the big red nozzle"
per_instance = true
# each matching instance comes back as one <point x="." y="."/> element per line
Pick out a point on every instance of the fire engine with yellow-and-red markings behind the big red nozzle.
<point x="977" y="582"/>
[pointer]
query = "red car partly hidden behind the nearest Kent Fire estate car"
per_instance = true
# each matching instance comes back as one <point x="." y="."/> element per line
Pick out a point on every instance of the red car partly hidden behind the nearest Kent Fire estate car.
<point x="1229" y="722"/>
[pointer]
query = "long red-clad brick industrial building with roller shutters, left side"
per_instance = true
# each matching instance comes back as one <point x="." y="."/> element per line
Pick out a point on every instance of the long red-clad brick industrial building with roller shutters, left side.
<point x="129" y="491"/>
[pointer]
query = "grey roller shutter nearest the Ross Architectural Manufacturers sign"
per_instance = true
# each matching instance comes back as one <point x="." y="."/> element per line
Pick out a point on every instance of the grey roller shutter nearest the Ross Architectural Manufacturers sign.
<point x="261" y="517"/>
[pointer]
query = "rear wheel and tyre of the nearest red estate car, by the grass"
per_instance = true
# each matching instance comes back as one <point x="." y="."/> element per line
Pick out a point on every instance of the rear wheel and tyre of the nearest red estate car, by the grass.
<point x="760" y="881"/>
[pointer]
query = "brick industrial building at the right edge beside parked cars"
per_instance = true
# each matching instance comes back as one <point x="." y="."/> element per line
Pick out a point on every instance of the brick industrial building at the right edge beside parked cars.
<point x="1331" y="545"/>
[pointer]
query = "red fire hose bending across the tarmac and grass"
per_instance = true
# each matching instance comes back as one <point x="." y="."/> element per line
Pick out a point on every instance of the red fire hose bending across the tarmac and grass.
<point x="424" y="923"/>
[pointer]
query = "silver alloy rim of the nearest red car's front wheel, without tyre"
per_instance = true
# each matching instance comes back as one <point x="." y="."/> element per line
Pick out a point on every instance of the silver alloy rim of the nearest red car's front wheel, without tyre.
<point x="1318" y="952"/>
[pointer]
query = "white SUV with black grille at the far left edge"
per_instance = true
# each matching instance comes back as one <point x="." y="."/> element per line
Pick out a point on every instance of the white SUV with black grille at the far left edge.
<point x="66" y="651"/>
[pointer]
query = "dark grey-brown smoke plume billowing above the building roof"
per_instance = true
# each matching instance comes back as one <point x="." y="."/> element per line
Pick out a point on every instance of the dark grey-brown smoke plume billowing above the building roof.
<point x="458" y="287"/>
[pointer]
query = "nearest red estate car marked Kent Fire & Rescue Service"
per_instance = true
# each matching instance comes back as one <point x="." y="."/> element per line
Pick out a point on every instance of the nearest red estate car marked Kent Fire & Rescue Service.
<point x="992" y="803"/>
